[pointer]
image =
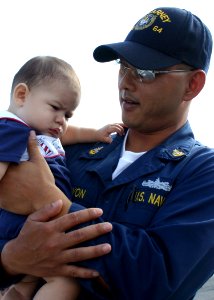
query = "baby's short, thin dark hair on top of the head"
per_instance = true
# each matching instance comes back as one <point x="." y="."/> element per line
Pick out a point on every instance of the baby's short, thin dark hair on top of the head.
<point x="43" y="68"/>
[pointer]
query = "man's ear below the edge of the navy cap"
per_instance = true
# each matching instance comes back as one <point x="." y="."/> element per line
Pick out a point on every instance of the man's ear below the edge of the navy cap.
<point x="195" y="85"/>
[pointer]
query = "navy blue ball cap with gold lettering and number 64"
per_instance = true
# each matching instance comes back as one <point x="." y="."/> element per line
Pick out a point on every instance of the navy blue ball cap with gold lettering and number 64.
<point x="164" y="37"/>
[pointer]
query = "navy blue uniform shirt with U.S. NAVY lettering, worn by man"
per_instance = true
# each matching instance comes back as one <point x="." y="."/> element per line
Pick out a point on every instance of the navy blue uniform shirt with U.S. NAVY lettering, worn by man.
<point x="162" y="211"/>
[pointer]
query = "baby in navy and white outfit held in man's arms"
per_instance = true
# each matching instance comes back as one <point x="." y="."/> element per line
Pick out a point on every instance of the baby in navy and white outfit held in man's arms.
<point x="45" y="93"/>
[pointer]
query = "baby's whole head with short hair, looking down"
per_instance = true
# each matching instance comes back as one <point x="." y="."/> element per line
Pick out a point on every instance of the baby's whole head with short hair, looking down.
<point x="44" y="94"/>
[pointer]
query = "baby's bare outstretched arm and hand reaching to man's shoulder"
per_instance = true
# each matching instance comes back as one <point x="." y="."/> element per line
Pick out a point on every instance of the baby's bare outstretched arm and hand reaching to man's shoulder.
<point x="75" y="134"/>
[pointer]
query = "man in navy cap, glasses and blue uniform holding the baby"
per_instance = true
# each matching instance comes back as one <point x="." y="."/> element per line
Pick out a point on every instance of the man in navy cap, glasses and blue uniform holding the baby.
<point x="156" y="183"/>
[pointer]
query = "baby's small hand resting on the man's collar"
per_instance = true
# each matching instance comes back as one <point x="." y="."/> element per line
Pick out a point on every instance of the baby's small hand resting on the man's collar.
<point x="103" y="133"/>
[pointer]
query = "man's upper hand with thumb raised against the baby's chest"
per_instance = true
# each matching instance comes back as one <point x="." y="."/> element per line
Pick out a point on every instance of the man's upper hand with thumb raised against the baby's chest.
<point x="30" y="185"/>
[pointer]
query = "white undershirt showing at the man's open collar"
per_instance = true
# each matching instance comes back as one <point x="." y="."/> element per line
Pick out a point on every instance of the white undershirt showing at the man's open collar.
<point x="126" y="159"/>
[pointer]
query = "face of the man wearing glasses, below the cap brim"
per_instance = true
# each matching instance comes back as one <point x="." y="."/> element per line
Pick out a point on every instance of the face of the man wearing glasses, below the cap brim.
<point x="149" y="106"/>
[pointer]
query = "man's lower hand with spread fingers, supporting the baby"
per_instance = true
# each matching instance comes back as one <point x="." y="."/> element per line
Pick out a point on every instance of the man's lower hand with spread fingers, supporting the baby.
<point x="44" y="249"/>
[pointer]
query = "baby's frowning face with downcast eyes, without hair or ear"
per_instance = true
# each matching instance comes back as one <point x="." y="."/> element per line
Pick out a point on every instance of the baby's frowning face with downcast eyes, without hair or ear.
<point x="48" y="107"/>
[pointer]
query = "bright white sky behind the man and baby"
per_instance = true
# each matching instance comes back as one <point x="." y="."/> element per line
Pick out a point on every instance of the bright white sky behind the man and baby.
<point x="71" y="30"/>
